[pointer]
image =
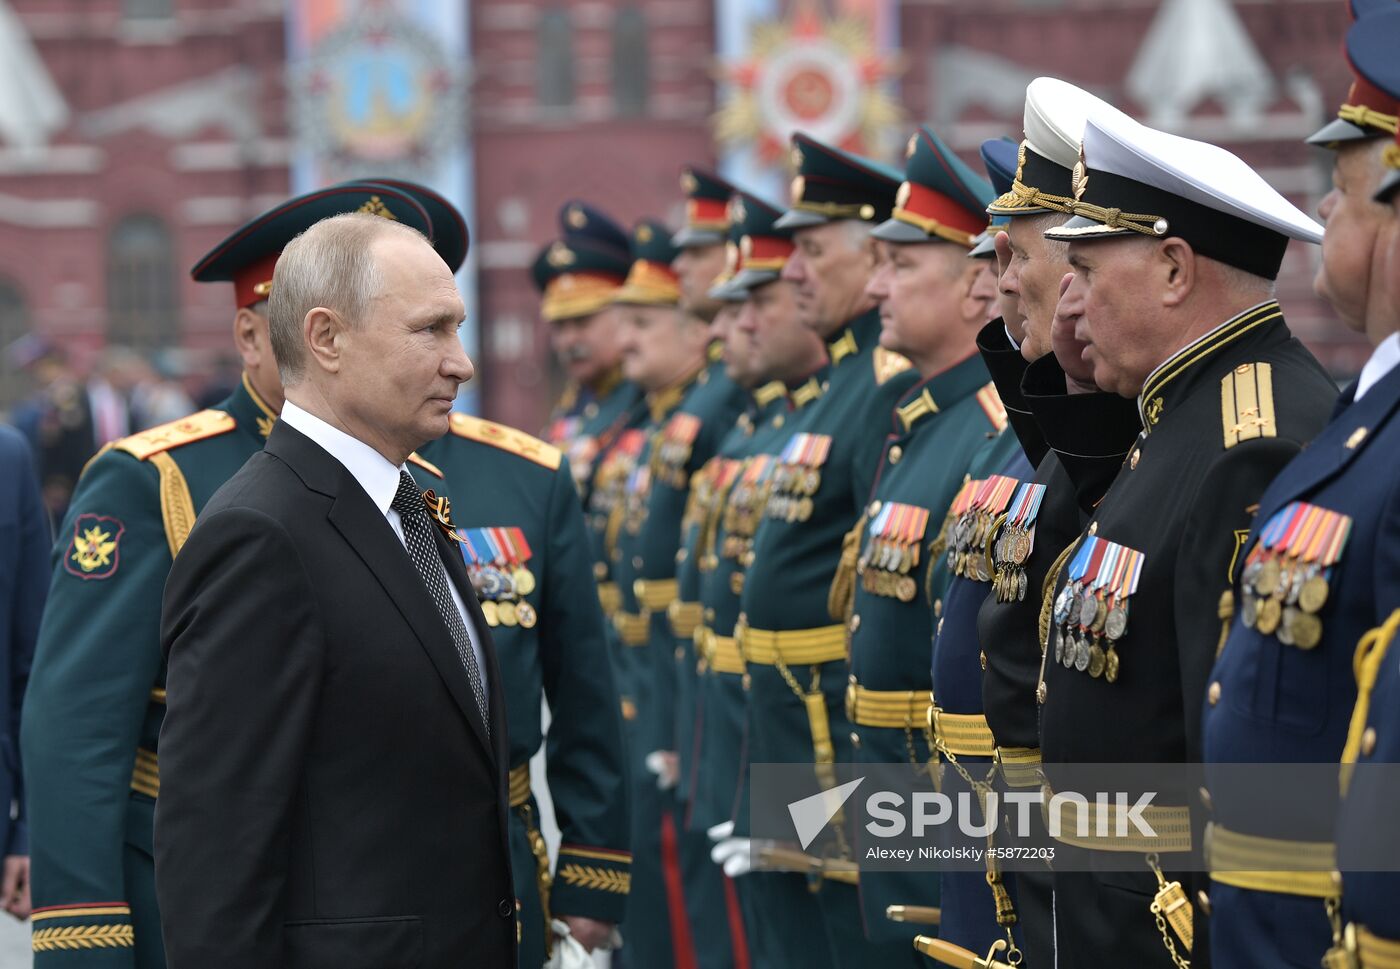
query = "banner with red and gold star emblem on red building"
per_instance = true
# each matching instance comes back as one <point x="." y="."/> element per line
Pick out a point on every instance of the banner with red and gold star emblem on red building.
<point x="824" y="68"/>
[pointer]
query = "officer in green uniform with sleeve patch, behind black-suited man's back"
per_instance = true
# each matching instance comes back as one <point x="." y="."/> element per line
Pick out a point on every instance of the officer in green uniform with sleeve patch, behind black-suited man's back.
<point x="97" y="692"/>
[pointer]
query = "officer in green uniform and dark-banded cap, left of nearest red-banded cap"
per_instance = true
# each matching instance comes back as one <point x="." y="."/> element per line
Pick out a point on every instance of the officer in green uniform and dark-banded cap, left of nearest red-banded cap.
<point x="793" y="646"/>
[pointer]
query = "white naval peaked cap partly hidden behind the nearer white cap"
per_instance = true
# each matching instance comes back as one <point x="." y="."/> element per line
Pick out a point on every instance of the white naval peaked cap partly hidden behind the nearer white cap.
<point x="1055" y="118"/>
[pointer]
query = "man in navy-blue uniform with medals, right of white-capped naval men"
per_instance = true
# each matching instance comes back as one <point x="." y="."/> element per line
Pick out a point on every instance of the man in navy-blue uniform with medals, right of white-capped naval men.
<point x="1284" y="685"/>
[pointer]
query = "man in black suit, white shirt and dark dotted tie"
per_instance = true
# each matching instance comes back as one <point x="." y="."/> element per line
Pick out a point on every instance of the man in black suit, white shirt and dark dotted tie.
<point x="334" y="757"/>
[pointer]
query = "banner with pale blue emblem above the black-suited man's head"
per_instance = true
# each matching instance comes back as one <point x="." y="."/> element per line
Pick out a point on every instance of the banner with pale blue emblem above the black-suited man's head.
<point x="379" y="89"/>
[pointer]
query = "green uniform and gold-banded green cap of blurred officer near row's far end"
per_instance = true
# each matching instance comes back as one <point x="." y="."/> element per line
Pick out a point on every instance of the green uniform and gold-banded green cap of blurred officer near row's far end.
<point x="684" y="429"/>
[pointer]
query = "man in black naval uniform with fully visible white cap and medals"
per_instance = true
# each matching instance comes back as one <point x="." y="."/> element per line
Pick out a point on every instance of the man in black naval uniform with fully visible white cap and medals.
<point x="1175" y="249"/>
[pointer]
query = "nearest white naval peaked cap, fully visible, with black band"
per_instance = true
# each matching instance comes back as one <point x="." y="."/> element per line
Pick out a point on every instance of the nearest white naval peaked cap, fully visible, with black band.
<point x="1139" y="181"/>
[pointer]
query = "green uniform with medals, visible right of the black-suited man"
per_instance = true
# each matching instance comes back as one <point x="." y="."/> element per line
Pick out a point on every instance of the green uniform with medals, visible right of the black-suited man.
<point x="523" y="538"/>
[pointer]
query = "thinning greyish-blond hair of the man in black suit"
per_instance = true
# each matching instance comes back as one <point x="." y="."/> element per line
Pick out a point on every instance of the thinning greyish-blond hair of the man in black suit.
<point x="330" y="265"/>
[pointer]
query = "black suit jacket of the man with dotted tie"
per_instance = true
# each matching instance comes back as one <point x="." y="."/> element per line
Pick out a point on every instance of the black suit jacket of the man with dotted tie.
<point x="330" y="799"/>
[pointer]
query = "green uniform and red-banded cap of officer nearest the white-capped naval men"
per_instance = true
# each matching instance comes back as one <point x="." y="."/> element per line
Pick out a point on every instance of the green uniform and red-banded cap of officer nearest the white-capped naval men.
<point x="937" y="431"/>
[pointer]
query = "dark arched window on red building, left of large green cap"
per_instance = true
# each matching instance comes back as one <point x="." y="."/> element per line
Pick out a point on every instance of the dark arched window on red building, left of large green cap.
<point x="142" y="305"/>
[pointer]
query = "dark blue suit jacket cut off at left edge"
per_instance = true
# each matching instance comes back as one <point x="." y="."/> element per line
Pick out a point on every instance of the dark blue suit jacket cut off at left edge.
<point x="24" y="583"/>
